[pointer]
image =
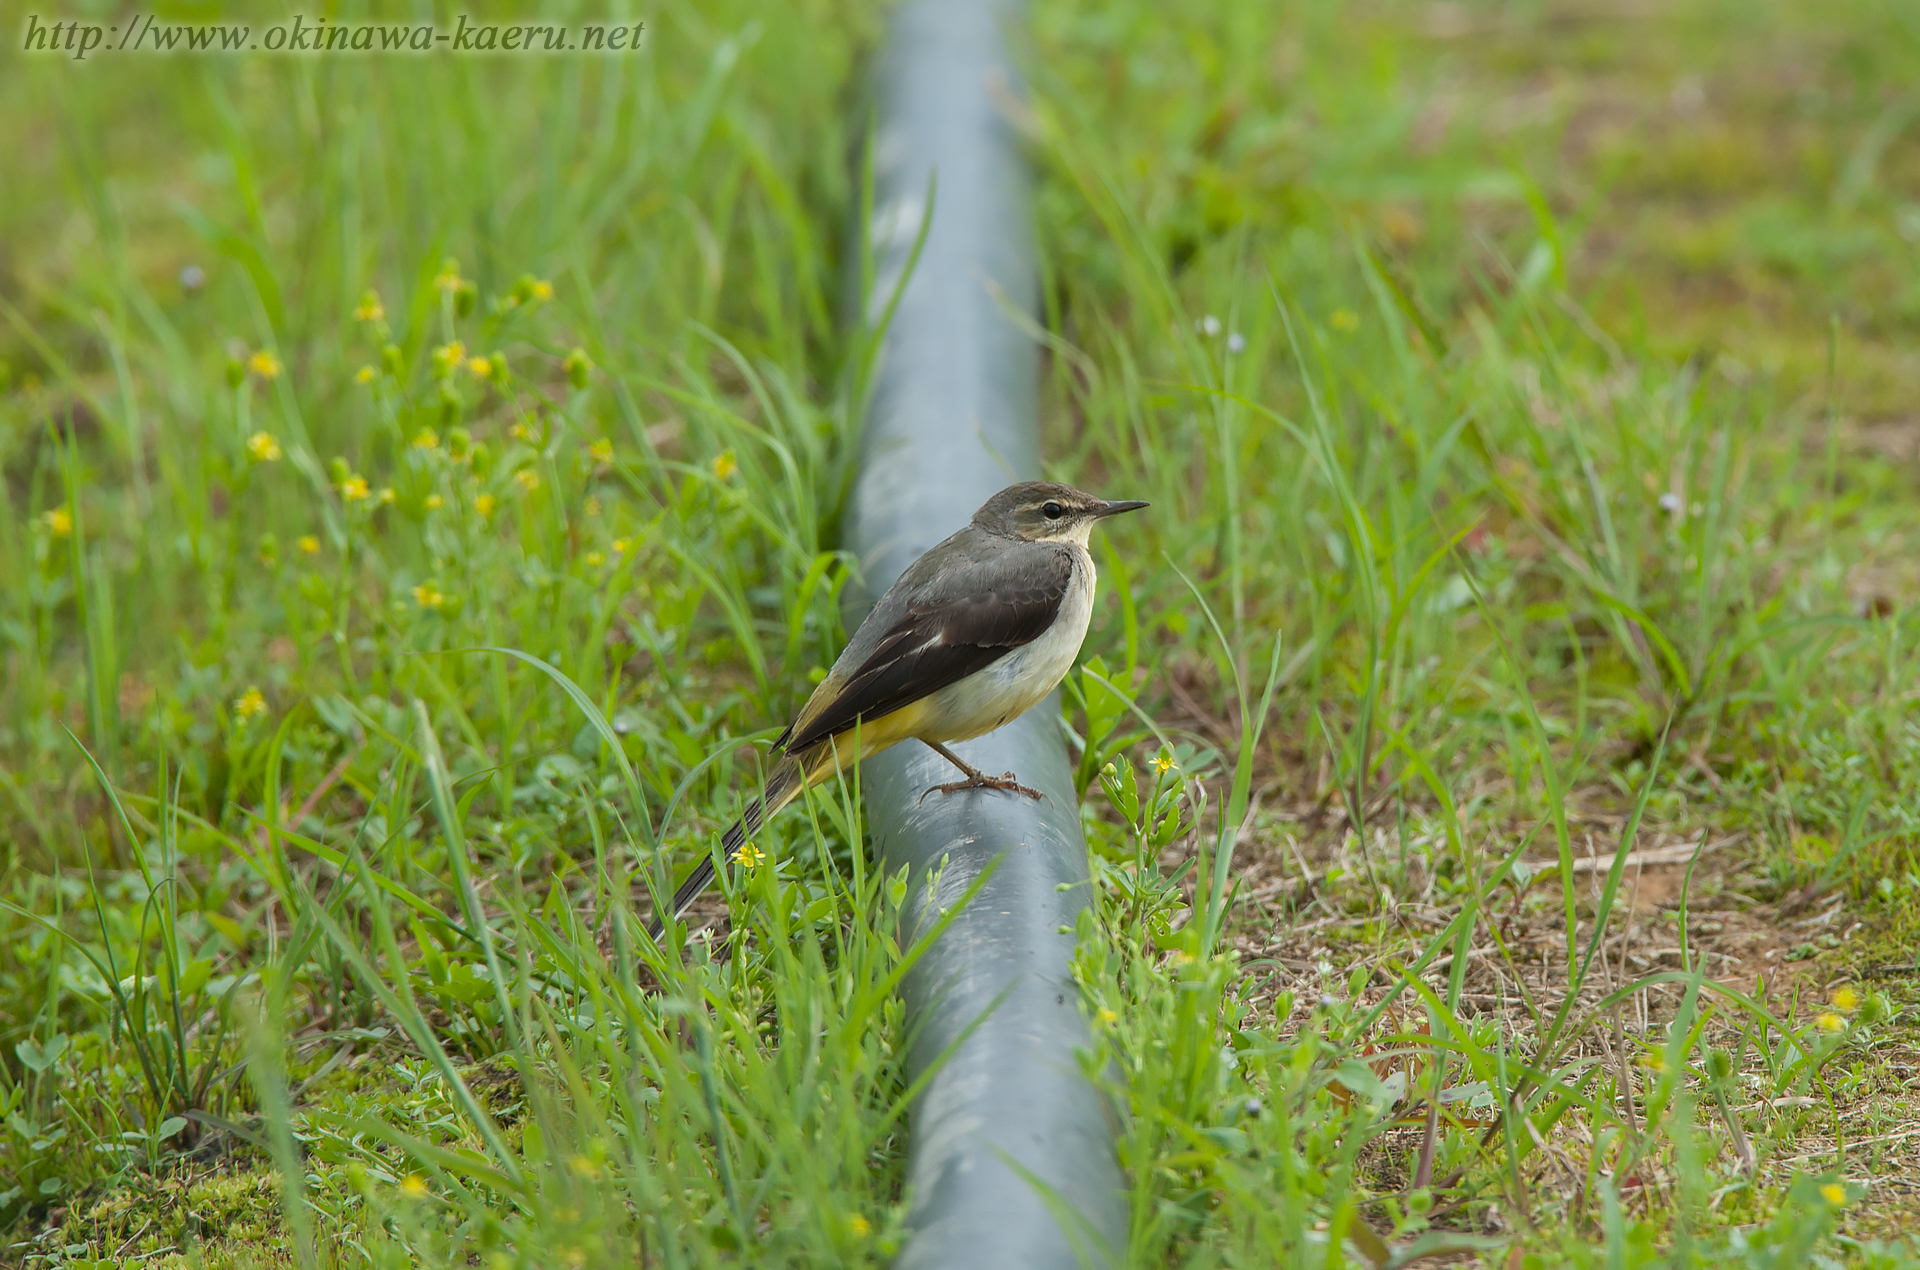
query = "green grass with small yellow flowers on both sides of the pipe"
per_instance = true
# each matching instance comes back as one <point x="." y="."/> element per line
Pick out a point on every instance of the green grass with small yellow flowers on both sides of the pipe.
<point x="1520" y="393"/>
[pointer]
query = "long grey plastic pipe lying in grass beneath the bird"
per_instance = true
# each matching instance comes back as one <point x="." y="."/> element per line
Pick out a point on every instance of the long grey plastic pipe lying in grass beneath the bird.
<point x="1011" y="1158"/>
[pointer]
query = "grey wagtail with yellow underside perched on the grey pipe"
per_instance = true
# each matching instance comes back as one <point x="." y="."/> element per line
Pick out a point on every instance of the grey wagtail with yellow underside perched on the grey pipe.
<point x="974" y="633"/>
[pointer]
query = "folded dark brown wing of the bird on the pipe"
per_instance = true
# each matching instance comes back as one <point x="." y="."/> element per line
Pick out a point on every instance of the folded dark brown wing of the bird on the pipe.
<point x="940" y="641"/>
